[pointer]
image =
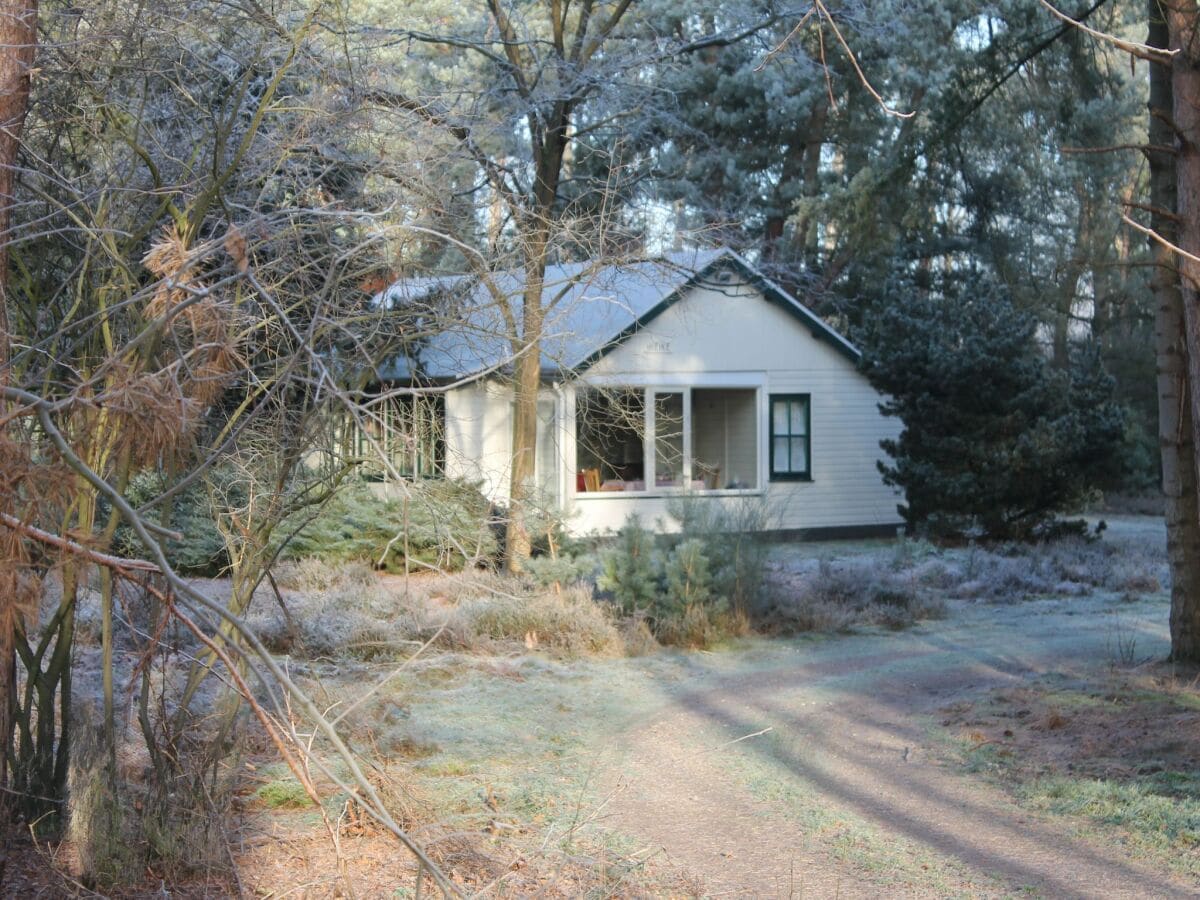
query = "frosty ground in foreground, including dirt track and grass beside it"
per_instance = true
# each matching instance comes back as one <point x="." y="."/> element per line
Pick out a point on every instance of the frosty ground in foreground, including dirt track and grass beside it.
<point x="1037" y="748"/>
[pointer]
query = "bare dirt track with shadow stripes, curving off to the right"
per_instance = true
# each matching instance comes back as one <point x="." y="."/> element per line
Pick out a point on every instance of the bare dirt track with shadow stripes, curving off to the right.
<point x="847" y="796"/>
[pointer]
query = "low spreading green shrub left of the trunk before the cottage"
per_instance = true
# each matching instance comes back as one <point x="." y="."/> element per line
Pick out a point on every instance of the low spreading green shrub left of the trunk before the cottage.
<point x="445" y="524"/>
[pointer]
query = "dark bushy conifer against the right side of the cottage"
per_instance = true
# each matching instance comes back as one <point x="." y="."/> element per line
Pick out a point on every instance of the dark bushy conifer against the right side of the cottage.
<point x="995" y="440"/>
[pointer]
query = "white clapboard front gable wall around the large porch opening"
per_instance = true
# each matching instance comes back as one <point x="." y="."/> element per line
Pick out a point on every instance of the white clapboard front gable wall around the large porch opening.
<point x="730" y="337"/>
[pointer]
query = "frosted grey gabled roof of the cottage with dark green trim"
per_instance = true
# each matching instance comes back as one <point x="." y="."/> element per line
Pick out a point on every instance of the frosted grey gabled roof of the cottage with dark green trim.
<point x="593" y="311"/>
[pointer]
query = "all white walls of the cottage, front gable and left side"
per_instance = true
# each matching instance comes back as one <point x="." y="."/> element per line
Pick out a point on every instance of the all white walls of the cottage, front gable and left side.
<point x="712" y="339"/>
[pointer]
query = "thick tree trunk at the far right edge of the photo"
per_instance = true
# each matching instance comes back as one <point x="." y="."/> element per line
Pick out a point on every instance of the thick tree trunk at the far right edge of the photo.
<point x="1177" y="352"/>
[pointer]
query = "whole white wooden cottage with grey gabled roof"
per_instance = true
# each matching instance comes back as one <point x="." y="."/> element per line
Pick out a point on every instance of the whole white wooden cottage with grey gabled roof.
<point x="688" y="375"/>
